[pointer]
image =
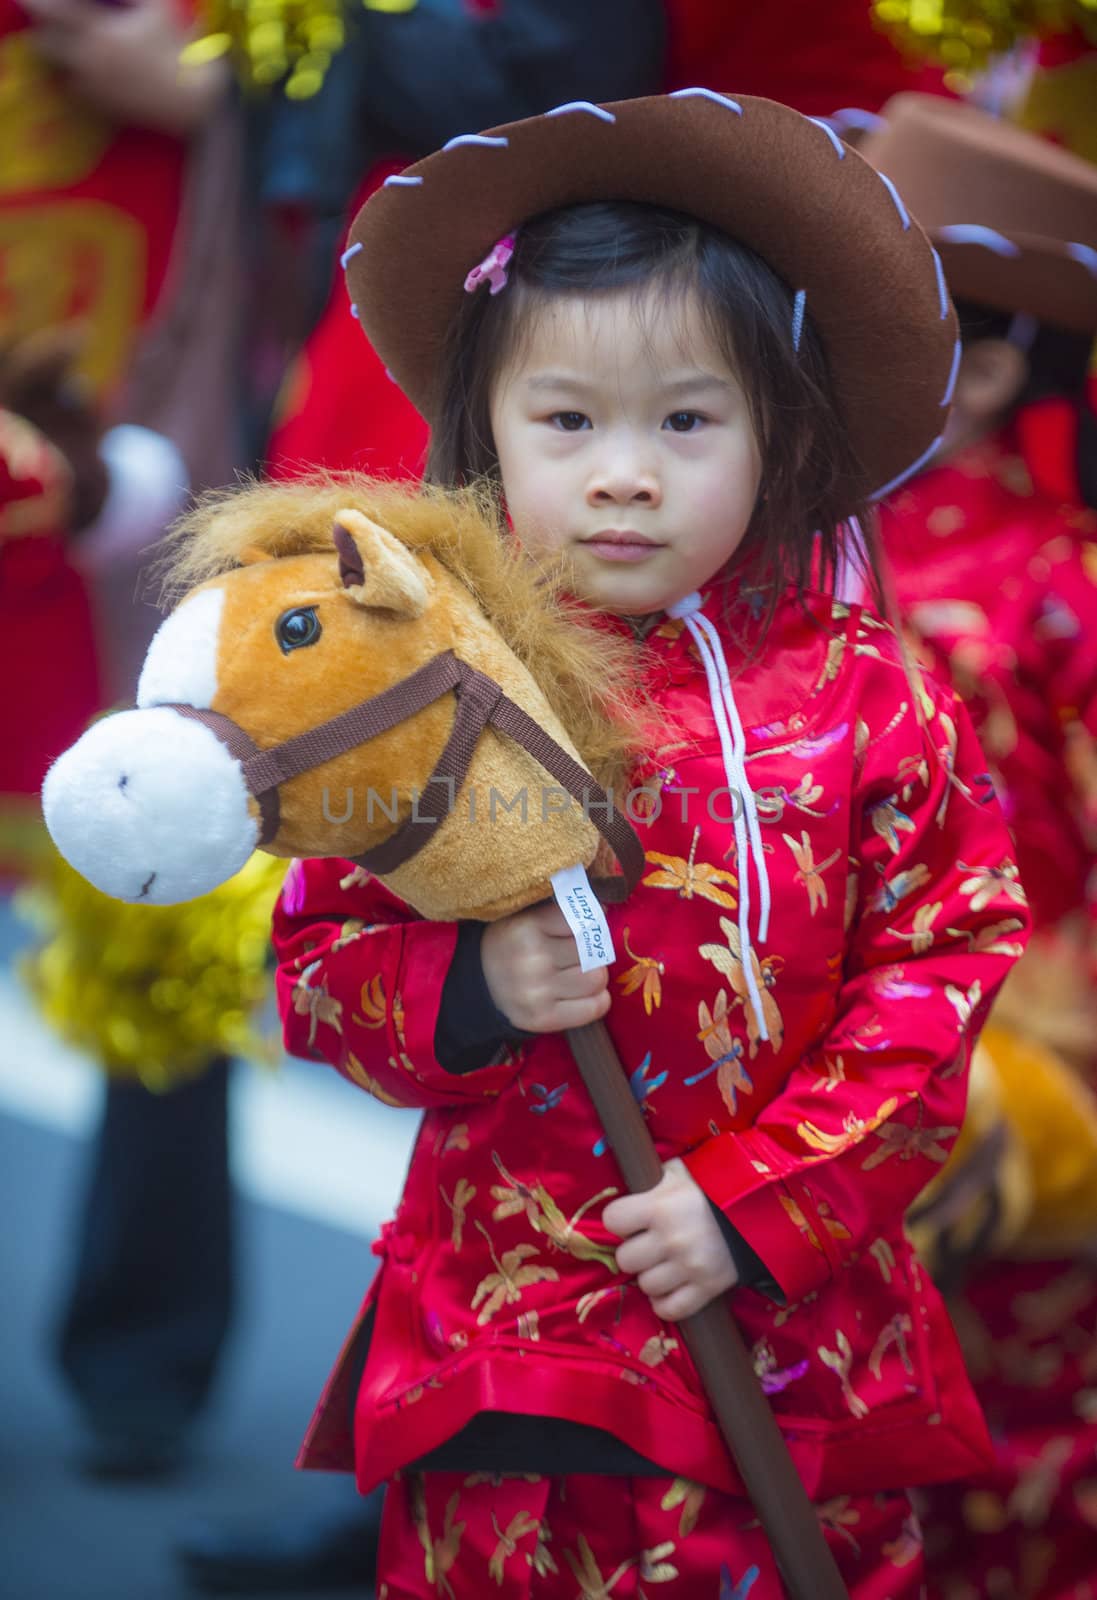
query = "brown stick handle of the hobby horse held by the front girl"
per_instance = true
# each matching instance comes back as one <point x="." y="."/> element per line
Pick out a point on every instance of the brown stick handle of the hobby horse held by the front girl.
<point x="719" y="1353"/>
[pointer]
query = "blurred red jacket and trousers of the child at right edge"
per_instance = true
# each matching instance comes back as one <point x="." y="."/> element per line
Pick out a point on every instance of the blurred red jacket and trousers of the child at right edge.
<point x="1003" y="585"/>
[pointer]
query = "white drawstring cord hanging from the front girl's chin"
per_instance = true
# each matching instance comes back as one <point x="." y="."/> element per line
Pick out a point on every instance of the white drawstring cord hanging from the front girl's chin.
<point x="733" y="745"/>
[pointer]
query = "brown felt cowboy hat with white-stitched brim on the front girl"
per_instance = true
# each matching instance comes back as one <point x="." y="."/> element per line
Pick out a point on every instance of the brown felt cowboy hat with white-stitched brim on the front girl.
<point x="778" y="182"/>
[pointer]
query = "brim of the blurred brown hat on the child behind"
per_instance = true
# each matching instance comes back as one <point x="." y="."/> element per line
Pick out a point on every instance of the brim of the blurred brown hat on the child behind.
<point x="1040" y="278"/>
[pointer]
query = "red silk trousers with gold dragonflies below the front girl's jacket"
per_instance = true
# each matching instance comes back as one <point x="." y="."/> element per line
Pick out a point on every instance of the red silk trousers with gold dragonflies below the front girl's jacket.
<point x="463" y="1537"/>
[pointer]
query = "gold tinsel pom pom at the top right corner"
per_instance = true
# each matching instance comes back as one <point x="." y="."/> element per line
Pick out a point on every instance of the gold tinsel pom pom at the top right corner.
<point x="963" y="36"/>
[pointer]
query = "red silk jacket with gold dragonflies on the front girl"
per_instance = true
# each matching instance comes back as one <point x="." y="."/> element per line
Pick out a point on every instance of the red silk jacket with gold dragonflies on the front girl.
<point x="896" y="914"/>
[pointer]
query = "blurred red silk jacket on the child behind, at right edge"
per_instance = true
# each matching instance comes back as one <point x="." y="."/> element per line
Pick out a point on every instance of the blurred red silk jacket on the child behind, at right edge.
<point x="1003" y="585"/>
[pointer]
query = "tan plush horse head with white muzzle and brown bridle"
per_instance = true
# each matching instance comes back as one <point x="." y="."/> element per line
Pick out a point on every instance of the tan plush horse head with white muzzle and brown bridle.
<point x="361" y="671"/>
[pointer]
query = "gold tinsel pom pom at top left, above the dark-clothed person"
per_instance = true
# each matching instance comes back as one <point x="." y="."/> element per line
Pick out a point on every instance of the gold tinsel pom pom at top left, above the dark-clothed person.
<point x="274" y="41"/>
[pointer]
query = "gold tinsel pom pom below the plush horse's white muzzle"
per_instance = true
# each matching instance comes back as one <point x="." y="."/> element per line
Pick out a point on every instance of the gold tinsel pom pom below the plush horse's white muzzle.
<point x="154" y="991"/>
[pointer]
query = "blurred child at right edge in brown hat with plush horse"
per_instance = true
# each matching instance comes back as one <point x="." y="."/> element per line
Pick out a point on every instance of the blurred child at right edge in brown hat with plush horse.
<point x="992" y="551"/>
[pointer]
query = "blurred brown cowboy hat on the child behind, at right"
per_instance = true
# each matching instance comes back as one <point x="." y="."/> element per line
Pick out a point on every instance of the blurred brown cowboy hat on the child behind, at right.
<point x="1013" y="215"/>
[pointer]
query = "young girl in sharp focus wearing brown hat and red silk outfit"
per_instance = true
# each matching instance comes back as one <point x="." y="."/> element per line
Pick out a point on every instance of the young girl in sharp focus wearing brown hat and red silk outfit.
<point x="688" y="338"/>
